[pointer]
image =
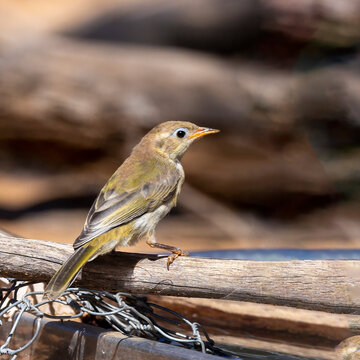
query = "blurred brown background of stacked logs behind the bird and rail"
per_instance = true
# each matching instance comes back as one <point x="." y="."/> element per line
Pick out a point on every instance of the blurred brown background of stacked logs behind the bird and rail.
<point x="82" y="81"/>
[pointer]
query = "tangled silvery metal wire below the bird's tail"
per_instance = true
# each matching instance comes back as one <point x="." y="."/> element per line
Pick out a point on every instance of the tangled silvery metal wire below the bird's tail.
<point x="126" y="313"/>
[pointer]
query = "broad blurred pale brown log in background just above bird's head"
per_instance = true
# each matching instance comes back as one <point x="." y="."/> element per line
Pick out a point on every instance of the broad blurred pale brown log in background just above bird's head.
<point x="77" y="87"/>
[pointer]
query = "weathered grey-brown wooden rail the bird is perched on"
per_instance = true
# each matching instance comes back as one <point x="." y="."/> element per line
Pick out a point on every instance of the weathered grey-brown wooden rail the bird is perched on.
<point x="319" y="285"/>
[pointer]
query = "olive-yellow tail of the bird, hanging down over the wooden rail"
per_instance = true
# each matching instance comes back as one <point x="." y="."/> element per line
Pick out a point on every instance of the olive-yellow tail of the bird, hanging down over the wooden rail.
<point x="68" y="271"/>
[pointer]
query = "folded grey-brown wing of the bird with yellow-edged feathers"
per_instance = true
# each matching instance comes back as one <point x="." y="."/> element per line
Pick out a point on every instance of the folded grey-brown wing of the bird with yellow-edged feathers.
<point x="121" y="204"/>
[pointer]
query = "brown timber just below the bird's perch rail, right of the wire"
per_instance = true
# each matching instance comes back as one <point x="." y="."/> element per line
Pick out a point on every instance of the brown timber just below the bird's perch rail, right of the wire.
<point x="284" y="325"/>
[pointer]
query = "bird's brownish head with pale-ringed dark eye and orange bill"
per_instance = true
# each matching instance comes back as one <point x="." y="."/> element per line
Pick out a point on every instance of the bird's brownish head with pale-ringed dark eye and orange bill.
<point x="174" y="137"/>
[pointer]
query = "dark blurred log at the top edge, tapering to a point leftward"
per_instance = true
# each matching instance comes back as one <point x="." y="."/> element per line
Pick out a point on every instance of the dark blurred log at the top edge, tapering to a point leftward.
<point x="207" y="25"/>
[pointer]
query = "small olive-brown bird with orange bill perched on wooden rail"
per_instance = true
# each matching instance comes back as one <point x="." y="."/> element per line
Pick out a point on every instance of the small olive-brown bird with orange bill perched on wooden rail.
<point x="136" y="197"/>
